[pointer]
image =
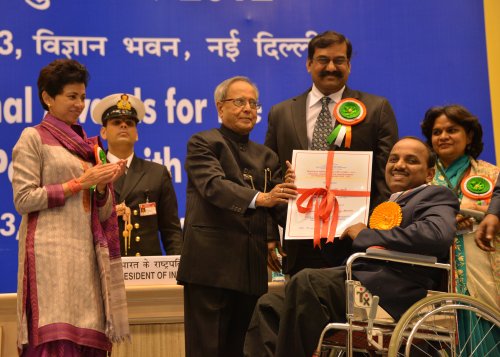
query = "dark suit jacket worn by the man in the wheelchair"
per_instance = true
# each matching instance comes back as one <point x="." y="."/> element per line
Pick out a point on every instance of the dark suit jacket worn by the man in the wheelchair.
<point x="428" y="227"/>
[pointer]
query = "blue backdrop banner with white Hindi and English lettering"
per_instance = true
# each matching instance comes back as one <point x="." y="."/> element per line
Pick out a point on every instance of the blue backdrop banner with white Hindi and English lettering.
<point x="172" y="54"/>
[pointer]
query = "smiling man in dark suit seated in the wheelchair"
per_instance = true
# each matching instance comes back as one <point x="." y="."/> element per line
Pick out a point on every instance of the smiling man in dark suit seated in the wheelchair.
<point x="291" y="325"/>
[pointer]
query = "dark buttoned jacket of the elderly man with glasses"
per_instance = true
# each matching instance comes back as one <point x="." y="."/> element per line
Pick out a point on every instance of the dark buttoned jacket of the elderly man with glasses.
<point x="225" y="242"/>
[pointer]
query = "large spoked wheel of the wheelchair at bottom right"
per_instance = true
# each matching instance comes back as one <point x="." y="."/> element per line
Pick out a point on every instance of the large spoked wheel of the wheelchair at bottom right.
<point x="430" y="328"/>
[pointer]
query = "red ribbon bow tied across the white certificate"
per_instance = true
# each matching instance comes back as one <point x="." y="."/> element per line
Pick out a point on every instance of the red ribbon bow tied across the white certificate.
<point x="324" y="226"/>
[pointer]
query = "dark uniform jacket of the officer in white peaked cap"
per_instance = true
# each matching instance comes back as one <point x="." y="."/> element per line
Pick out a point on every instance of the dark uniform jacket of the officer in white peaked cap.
<point x="152" y="181"/>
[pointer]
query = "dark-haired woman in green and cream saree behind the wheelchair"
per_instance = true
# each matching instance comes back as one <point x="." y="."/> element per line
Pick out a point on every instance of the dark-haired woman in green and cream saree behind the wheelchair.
<point x="456" y="137"/>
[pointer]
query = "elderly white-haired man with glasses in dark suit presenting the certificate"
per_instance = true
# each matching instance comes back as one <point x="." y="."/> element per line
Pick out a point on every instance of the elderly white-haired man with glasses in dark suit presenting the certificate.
<point x="233" y="187"/>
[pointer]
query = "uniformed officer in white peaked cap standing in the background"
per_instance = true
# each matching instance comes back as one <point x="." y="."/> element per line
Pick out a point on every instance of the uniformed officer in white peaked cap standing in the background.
<point x="145" y="195"/>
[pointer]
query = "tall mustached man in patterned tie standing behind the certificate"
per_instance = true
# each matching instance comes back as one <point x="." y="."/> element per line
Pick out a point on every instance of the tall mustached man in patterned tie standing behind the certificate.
<point x="361" y="122"/>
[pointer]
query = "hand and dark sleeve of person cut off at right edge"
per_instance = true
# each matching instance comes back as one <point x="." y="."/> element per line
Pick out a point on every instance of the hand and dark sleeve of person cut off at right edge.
<point x="490" y="225"/>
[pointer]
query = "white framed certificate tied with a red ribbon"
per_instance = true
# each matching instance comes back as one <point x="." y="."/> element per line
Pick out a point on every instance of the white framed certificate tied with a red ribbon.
<point x="334" y="193"/>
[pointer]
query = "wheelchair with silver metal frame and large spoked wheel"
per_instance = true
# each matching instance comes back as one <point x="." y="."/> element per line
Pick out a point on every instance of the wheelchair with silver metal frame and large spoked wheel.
<point x="430" y="327"/>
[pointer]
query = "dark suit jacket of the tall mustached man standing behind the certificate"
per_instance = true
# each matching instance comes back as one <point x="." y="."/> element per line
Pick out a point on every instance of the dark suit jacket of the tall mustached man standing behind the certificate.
<point x="378" y="132"/>
